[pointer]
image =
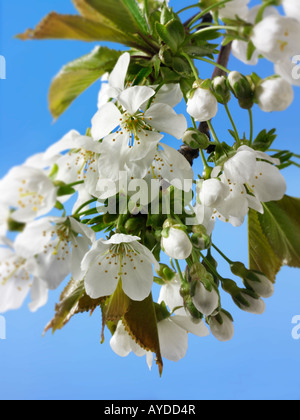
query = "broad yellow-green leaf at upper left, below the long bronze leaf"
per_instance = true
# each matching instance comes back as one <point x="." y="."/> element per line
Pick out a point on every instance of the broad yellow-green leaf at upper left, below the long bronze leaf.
<point x="77" y="76"/>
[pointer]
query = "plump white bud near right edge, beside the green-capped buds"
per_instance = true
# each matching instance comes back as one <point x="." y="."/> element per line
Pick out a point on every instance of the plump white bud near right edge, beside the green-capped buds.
<point x="274" y="94"/>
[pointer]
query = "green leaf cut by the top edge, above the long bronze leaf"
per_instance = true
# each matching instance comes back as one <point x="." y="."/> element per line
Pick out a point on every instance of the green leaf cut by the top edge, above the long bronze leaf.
<point x="123" y="13"/>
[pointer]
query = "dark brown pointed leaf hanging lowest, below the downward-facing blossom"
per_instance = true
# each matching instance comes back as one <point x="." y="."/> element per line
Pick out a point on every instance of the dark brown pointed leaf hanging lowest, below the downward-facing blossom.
<point x="141" y="323"/>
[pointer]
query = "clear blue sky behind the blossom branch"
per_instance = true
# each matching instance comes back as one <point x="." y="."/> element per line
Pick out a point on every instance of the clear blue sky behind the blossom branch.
<point x="261" y="362"/>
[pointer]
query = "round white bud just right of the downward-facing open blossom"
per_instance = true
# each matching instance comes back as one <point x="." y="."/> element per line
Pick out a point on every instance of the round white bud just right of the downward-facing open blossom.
<point x="177" y="245"/>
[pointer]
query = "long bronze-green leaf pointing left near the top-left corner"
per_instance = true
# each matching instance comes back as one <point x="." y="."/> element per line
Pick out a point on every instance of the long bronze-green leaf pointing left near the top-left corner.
<point x="73" y="27"/>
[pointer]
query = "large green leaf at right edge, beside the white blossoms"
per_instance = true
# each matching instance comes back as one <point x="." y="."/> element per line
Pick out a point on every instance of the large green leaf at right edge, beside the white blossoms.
<point x="274" y="237"/>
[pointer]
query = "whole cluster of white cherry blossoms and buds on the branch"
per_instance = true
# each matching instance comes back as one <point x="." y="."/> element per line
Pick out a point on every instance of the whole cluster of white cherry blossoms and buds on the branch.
<point x="123" y="151"/>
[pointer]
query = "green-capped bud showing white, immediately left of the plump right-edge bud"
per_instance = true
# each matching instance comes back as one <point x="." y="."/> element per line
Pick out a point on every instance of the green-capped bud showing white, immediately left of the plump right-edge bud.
<point x="241" y="88"/>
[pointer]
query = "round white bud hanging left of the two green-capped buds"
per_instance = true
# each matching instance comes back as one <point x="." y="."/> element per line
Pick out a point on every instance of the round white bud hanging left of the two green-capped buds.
<point x="202" y="106"/>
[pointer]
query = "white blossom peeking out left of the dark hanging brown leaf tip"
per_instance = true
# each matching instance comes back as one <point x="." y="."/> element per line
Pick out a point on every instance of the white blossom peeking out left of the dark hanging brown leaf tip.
<point x="122" y="344"/>
